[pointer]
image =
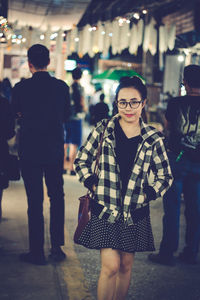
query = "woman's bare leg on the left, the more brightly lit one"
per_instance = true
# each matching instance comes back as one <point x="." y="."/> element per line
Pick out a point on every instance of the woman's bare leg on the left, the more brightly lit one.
<point x="110" y="263"/>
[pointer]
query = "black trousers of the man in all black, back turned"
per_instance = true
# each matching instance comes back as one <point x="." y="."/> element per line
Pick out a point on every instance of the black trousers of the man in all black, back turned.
<point x="33" y="175"/>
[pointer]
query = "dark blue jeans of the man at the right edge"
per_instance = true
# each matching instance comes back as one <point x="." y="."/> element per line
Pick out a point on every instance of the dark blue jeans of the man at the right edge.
<point x="187" y="181"/>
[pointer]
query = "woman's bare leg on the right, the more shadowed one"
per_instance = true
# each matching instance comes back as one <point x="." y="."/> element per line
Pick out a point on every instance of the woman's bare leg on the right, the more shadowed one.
<point x="124" y="275"/>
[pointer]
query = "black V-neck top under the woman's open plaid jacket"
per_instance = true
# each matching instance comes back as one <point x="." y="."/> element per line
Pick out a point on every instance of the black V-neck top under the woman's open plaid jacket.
<point x="126" y="149"/>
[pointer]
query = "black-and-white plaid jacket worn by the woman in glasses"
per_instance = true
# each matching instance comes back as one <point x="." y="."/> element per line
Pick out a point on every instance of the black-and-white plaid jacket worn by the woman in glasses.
<point x="151" y="156"/>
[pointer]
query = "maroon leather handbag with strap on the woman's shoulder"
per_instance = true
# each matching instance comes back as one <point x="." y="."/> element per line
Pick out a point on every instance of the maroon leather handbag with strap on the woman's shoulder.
<point x="84" y="212"/>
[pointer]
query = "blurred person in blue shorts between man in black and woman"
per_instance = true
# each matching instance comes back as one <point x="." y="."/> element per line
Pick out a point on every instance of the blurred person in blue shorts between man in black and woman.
<point x="73" y="127"/>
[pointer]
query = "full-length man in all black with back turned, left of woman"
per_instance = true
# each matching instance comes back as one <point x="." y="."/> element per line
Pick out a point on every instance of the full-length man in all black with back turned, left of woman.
<point x="42" y="104"/>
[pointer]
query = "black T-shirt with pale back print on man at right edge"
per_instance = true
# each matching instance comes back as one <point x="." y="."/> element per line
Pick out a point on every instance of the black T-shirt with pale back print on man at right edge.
<point x="183" y="115"/>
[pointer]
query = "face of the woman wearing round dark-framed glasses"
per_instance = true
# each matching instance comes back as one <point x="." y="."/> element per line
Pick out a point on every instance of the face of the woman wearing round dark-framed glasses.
<point x="130" y="114"/>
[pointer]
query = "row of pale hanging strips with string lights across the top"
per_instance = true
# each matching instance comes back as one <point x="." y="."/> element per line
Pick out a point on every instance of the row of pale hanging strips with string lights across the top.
<point x="128" y="31"/>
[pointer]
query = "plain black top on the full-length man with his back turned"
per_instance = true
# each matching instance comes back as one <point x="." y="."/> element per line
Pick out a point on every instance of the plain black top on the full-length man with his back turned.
<point x="43" y="104"/>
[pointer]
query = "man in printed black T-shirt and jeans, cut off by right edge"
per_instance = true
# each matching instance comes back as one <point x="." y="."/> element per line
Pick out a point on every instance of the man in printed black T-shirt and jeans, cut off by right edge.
<point x="183" y="125"/>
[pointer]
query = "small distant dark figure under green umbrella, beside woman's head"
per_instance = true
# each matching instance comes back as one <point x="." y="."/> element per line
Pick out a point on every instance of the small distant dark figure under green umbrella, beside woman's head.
<point x="101" y="110"/>
